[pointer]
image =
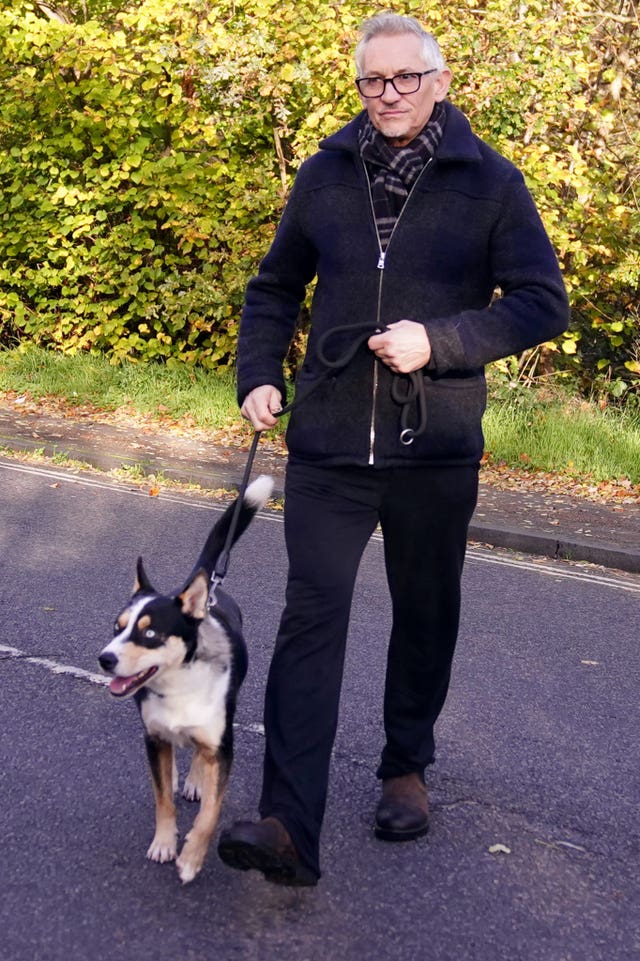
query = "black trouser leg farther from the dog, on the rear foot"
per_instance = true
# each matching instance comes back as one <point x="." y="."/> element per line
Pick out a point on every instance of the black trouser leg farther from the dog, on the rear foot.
<point x="425" y="517"/>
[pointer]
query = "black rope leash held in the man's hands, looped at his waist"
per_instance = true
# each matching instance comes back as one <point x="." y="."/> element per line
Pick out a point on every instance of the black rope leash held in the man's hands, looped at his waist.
<point x="405" y="388"/>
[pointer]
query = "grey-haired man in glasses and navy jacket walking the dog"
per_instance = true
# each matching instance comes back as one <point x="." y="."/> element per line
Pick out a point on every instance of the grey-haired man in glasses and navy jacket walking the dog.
<point x="418" y="230"/>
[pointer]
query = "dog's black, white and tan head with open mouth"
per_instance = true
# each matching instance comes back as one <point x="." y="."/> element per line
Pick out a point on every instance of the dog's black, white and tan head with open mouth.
<point x="155" y="632"/>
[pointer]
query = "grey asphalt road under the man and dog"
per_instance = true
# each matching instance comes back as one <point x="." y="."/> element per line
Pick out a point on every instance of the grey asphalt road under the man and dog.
<point x="538" y="755"/>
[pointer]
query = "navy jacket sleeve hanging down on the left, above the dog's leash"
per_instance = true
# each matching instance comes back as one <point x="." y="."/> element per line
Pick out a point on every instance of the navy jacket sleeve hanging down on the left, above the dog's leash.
<point x="272" y="302"/>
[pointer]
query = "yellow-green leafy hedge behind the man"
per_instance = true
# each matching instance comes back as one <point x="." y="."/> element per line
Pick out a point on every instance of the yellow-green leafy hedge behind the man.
<point x="146" y="151"/>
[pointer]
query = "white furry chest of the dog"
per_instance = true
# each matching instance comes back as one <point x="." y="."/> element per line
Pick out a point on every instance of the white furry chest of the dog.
<point x="189" y="703"/>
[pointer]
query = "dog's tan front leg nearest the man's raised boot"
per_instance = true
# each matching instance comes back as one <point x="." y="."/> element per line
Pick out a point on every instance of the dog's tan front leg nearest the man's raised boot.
<point x="213" y="768"/>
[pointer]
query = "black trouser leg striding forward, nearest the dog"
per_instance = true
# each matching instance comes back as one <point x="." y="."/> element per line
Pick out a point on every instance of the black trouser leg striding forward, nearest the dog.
<point x="330" y="515"/>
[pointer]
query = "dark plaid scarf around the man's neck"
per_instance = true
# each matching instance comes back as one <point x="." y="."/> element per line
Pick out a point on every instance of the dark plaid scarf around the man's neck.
<point x="393" y="170"/>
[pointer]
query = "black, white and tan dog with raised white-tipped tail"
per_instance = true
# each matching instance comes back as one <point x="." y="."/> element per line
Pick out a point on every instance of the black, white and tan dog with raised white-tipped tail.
<point x="183" y="660"/>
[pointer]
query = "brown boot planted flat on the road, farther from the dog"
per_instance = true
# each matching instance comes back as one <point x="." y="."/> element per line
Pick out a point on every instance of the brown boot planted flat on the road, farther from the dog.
<point x="403" y="811"/>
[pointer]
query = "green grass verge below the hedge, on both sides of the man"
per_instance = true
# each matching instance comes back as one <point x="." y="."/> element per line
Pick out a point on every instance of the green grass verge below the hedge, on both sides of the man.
<point x="528" y="429"/>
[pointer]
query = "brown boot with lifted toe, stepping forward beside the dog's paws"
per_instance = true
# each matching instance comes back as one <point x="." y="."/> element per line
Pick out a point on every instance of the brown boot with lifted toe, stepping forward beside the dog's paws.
<point x="266" y="846"/>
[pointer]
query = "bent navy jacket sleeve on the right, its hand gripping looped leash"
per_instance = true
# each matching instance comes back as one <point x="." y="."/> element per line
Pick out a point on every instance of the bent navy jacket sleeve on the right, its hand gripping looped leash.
<point x="533" y="305"/>
